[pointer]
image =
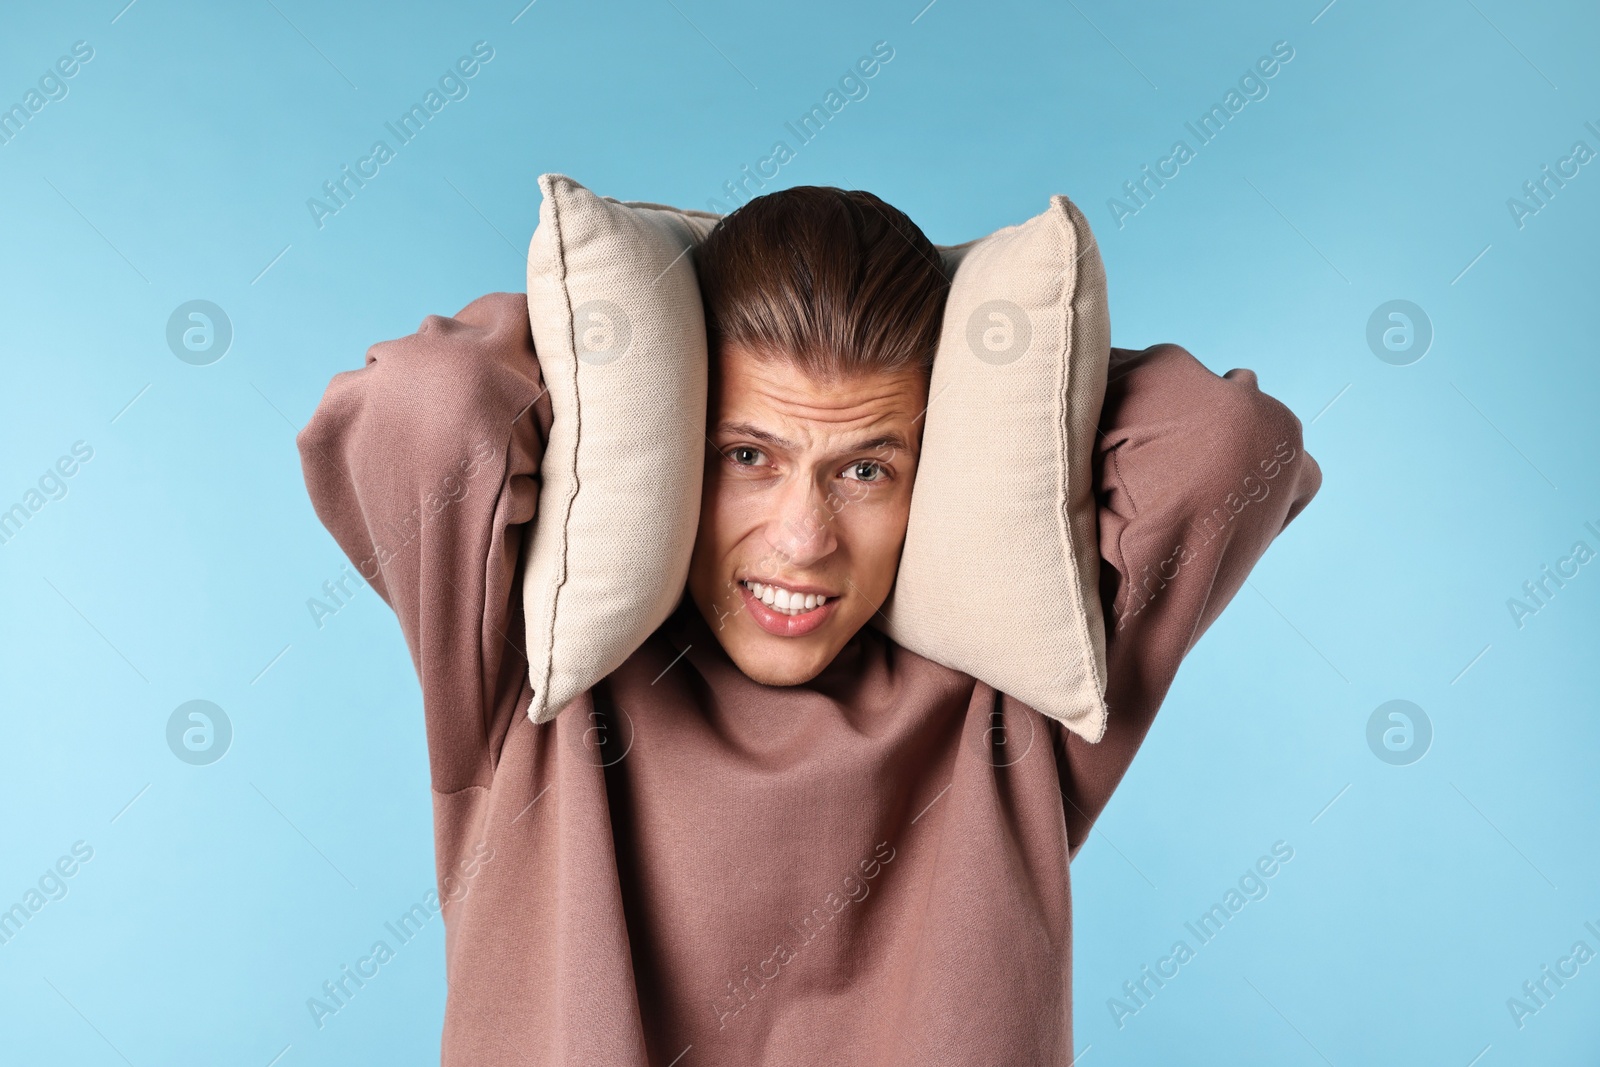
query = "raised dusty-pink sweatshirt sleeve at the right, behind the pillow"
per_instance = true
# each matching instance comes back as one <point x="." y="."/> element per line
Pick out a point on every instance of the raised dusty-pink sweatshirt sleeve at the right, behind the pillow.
<point x="1196" y="476"/>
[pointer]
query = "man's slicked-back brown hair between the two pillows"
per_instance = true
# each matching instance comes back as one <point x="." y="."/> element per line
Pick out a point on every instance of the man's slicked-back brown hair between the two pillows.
<point x="833" y="281"/>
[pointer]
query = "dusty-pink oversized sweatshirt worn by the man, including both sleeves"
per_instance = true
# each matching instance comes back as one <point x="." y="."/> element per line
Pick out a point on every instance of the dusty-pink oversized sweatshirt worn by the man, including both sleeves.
<point x="687" y="868"/>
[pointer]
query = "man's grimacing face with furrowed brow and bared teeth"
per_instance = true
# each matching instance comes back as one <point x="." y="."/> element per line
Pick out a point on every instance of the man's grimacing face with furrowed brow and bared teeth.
<point x="807" y="492"/>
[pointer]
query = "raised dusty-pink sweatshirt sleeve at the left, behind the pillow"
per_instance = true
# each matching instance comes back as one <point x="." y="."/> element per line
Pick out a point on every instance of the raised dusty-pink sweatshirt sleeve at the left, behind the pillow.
<point x="425" y="468"/>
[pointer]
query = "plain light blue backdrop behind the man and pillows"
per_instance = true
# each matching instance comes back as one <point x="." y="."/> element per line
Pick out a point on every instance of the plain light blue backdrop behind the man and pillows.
<point x="180" y="564"/>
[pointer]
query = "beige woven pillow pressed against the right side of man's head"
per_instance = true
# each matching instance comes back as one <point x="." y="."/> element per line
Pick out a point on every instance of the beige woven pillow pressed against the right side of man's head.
<point x="1001" y="570"/>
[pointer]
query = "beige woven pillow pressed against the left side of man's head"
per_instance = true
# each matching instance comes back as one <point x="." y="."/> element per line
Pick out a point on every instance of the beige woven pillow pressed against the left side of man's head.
<point x="622" y="340"/>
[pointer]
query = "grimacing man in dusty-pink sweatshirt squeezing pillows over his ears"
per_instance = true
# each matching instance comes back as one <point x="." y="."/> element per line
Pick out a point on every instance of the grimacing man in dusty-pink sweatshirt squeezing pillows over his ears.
<point x="774" y="836"/>
